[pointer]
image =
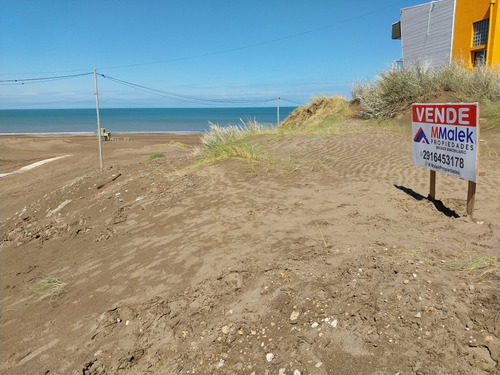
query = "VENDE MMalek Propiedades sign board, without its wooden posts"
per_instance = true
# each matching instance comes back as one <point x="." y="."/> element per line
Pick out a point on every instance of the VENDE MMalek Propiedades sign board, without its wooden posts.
<point x="445" y="138"/>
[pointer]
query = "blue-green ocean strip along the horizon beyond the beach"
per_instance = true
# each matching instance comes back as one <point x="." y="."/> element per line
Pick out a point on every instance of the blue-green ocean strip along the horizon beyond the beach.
<point x="131" y="120"/>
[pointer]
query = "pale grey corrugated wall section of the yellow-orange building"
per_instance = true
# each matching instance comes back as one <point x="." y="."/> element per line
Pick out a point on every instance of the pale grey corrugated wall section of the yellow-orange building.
<point x="426" y="33"/>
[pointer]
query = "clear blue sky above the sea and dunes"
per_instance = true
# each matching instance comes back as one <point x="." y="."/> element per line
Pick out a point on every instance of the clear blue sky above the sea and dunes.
<point x="204" y="52"/>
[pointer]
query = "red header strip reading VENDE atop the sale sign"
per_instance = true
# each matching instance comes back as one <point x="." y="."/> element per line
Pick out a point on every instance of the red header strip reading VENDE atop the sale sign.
<point x="445" y="114"/>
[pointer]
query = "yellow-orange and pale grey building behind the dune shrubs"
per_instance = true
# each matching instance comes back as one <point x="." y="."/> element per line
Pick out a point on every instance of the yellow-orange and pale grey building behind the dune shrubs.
<point x="436" y="33"/>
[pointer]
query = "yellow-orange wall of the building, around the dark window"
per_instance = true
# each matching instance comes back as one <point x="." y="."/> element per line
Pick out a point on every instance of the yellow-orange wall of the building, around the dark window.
<point x="470" y="11"/>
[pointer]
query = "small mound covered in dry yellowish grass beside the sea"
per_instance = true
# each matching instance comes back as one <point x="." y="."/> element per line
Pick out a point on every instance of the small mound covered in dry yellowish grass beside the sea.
<point x="320" y="110"/>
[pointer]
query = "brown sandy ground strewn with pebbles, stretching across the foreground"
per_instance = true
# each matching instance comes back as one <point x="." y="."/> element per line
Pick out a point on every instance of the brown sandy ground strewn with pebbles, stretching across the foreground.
<point x="326" y="260"/>
